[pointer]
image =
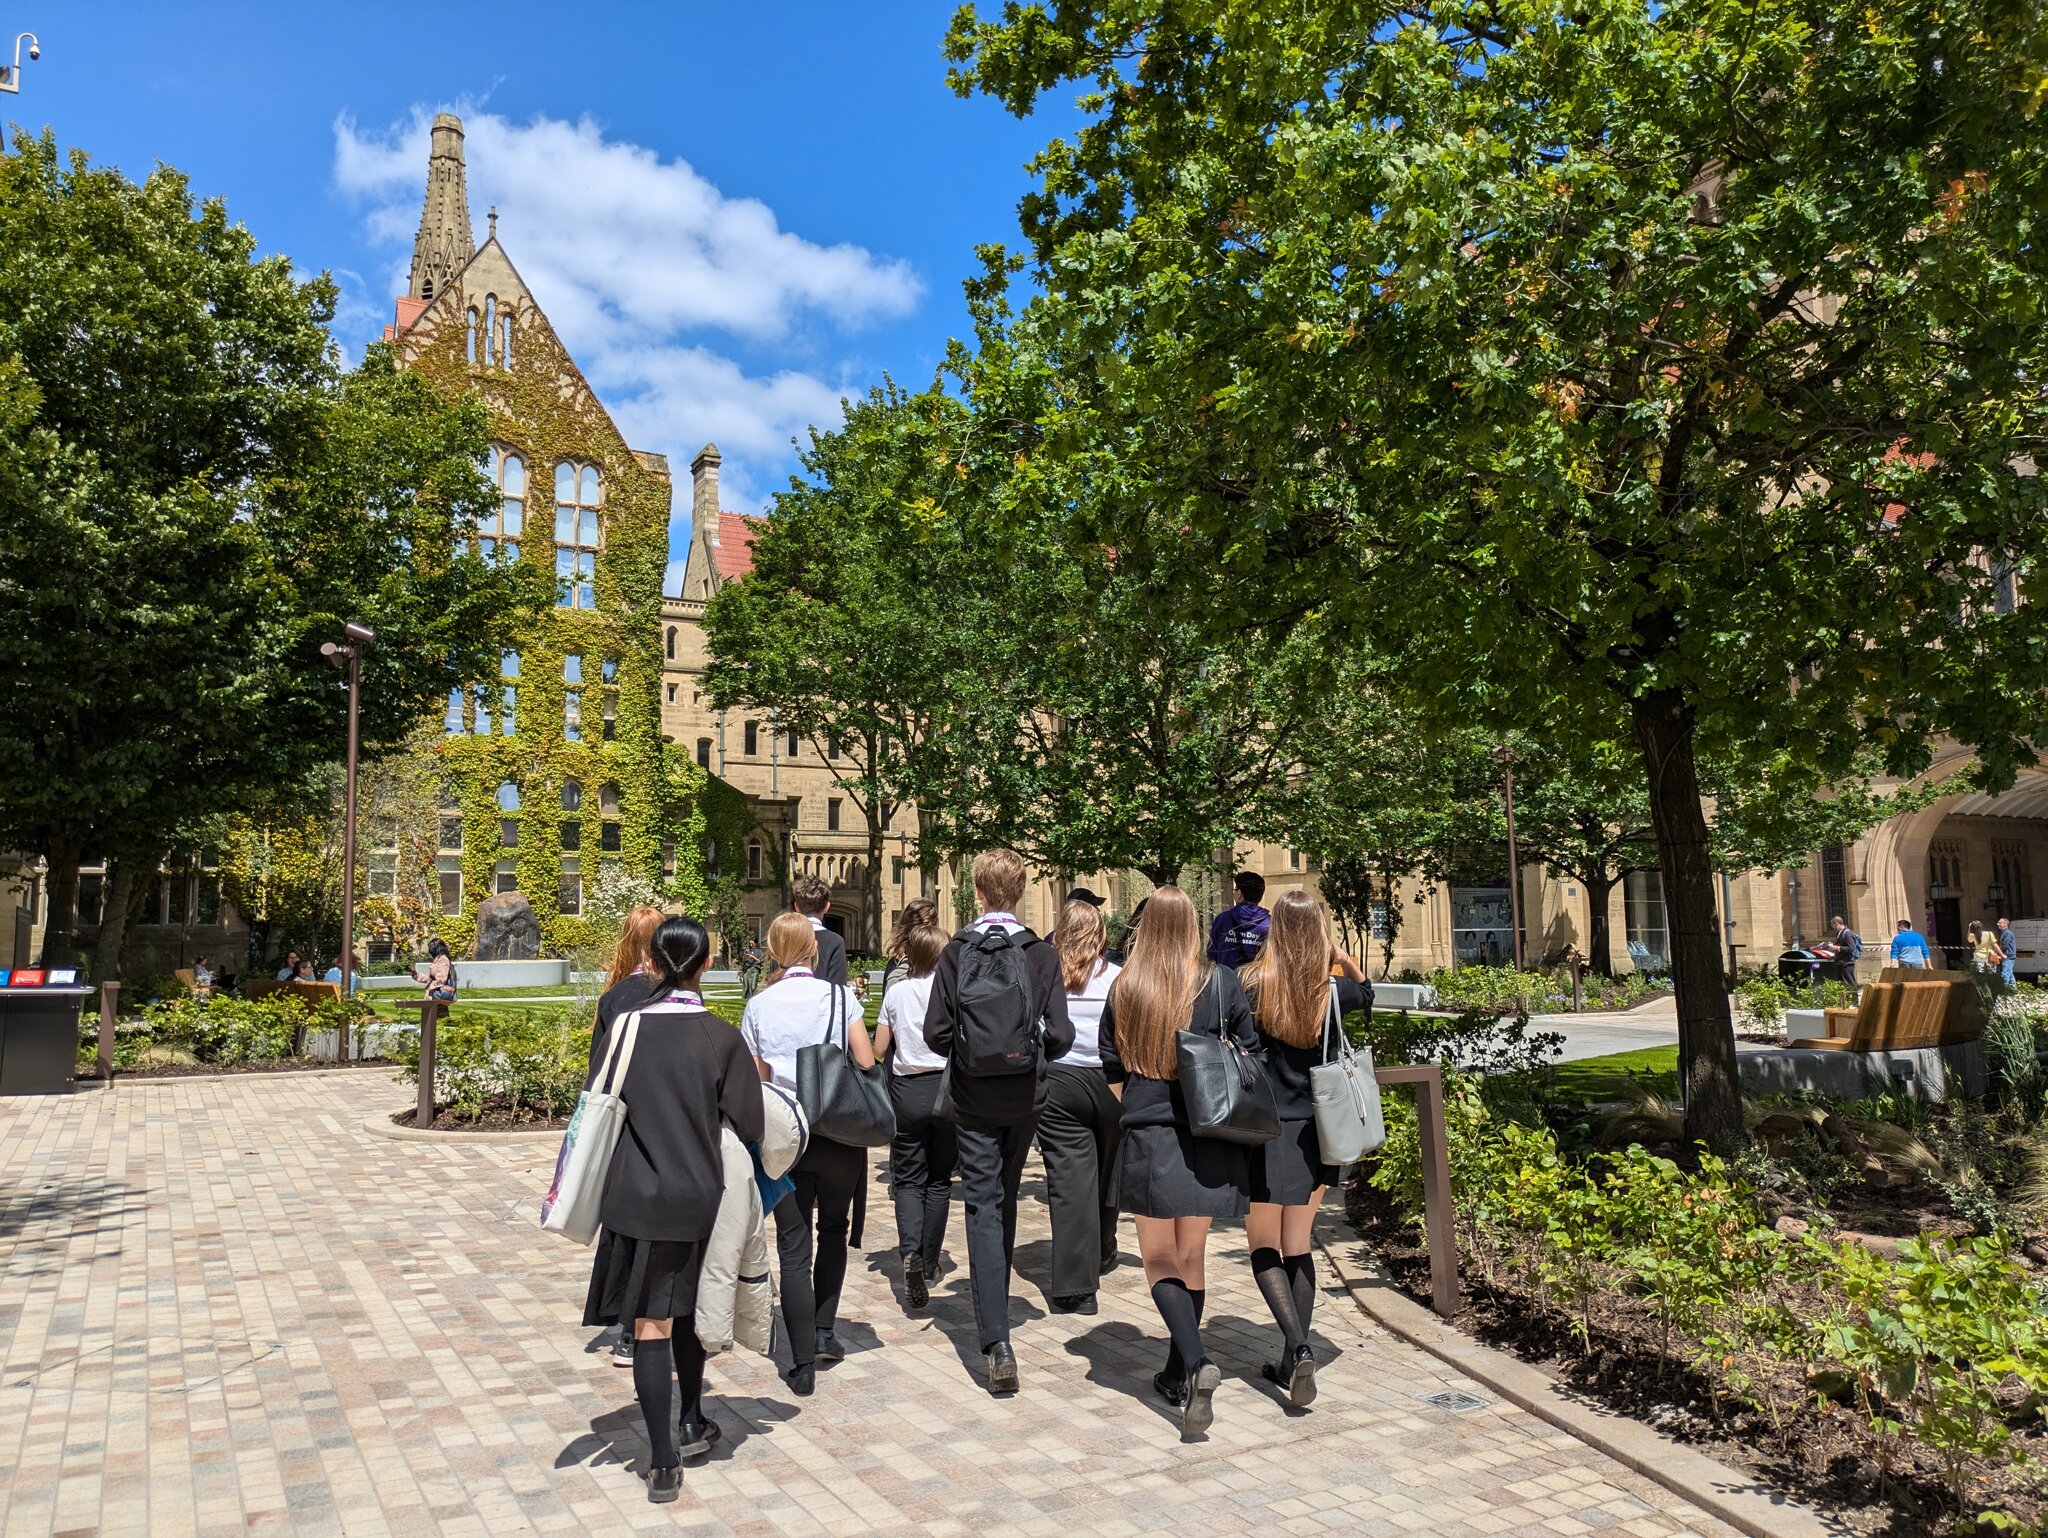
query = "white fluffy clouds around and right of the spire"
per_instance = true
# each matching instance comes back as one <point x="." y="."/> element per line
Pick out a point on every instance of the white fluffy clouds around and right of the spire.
<point x="636" y="259"/>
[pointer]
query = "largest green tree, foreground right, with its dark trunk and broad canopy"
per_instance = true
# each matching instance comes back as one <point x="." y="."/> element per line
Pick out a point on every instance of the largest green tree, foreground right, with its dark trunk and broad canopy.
<point x="1670" y="364"/>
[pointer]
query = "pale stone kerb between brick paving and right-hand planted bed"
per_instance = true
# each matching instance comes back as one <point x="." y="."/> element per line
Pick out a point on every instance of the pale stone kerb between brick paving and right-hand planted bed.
<point x="1717" y="1490"/>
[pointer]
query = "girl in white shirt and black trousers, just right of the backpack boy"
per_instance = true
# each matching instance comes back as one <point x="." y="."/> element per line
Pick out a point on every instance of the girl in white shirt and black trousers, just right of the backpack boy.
<point x="1078" y="1127"/>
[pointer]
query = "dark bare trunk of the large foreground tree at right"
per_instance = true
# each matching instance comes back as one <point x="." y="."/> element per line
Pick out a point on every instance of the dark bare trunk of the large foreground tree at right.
<point x="1705" y="1027"/>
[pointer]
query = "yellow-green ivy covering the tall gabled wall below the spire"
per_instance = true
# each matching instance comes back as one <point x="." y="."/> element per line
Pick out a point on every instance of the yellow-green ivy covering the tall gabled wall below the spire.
<point x="546" y="413"/>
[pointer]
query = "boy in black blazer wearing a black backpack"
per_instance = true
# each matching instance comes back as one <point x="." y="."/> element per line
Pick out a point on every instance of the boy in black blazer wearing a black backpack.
<point x="998" y="1017"/>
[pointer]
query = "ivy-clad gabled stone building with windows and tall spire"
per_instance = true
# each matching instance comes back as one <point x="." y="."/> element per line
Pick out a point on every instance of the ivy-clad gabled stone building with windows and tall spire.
<point x="556" y="771"/>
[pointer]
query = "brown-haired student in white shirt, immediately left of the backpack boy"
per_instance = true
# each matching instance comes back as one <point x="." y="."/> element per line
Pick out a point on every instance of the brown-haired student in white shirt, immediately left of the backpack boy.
<point x="925" y="1150"/>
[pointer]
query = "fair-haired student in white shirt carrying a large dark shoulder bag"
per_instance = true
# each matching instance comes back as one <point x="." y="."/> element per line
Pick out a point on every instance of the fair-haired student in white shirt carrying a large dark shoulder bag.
<point x="800" y="1009"/>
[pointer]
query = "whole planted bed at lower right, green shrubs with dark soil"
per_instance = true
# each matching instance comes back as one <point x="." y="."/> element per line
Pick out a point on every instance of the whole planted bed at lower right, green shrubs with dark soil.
<point x="1904" y="1387"/>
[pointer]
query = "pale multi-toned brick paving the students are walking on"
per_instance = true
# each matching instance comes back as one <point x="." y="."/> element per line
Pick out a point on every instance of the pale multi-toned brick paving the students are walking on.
<point x="226" y="1310"/>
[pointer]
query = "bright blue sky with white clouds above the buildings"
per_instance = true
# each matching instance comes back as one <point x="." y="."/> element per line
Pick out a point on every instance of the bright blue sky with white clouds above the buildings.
<point x="736" y="214"/>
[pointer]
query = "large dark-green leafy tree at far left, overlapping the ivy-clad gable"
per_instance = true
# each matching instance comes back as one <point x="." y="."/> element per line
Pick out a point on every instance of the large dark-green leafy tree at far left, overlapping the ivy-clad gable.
<point x="191" y="501"/>
